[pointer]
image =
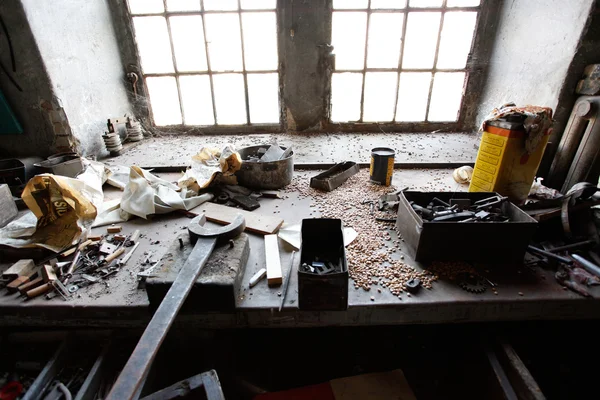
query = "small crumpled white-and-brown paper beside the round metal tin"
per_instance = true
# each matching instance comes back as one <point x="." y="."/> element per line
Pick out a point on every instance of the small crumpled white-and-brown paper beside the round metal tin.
<point x="207" y="164"/>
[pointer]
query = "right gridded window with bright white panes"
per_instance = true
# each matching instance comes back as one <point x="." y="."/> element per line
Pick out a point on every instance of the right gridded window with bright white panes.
<point x="397" y="62"/>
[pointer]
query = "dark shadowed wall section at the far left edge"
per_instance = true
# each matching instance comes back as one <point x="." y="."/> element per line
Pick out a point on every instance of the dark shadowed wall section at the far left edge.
<point x="38" y="136"/>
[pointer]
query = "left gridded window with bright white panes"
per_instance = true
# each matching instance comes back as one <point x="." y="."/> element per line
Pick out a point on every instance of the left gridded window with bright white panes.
<point x="208" y="62"/>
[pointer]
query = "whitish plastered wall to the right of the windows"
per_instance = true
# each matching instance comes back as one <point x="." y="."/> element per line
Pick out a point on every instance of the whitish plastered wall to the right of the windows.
<point x="535" y="44"/>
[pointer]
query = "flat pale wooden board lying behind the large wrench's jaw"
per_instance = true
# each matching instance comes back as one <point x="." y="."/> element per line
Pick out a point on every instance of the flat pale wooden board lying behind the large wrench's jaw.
<point x="257" y="223"/>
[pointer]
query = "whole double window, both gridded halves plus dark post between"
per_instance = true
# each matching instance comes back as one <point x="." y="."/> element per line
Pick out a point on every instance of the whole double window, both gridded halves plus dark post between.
<point x="215" y="64"/>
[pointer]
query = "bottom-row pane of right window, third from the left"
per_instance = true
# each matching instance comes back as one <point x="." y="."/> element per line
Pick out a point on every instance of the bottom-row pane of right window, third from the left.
<point x="412" y="96"/>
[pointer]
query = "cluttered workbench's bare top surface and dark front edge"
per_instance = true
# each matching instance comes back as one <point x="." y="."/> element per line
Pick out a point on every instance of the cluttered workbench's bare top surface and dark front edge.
<point x="523" y="293"/>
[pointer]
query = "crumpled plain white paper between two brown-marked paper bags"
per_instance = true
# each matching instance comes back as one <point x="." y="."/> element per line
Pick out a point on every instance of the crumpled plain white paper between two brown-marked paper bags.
<point x="146" y="194"/>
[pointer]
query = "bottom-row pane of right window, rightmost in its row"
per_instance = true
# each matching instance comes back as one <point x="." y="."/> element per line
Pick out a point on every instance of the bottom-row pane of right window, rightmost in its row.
<point x="446" y="96"/>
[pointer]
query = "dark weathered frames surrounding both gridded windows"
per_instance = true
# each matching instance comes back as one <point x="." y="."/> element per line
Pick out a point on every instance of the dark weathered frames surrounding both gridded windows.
<point x="476" y="73"/>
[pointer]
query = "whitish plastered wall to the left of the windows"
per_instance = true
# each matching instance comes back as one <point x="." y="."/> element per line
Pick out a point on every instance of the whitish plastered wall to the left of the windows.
<point x="80" y="52"/>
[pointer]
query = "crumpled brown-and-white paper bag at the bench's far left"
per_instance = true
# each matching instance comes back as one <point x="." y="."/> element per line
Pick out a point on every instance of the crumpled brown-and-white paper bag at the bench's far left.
<point x="61" y="209"/>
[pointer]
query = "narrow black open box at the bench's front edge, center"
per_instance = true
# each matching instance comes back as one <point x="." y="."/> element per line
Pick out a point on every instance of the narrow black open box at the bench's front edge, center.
<point x="323" y="241"/>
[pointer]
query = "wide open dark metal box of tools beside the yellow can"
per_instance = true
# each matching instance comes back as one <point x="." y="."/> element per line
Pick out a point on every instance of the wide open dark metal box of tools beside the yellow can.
<point x="476" y="240"/>
